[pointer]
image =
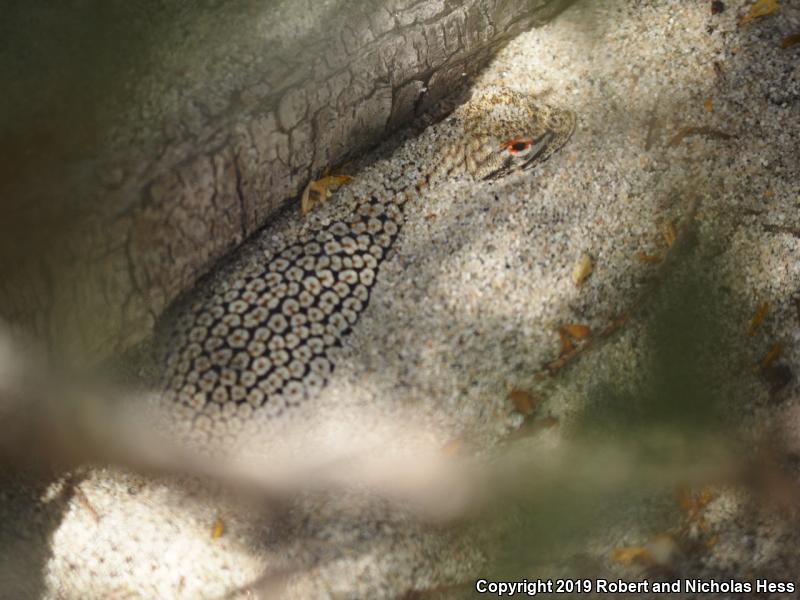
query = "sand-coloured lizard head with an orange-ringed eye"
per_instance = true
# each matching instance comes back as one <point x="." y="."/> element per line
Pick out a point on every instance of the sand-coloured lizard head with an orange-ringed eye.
<point x="505" y="131"/>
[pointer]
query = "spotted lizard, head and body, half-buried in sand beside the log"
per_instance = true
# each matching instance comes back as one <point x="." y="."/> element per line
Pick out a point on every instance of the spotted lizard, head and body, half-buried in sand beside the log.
<point x="266" y="340"/>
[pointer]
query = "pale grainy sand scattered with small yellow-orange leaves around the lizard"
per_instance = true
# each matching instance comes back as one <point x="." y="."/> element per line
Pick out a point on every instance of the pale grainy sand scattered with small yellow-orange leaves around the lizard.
<point x="469" y="306"/>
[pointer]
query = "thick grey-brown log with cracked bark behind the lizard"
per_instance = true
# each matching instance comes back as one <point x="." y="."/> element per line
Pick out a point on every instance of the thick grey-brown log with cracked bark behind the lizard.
<point x="124" y="186"/>
